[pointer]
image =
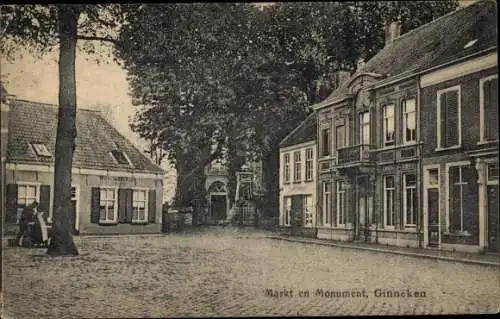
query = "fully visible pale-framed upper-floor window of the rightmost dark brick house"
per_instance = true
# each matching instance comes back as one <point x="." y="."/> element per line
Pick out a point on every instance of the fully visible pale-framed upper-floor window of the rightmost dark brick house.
<point x="448" y="118"/>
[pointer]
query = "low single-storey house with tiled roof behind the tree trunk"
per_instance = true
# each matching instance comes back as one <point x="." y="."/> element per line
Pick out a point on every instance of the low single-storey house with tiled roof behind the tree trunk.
<point x="115" y="188"/>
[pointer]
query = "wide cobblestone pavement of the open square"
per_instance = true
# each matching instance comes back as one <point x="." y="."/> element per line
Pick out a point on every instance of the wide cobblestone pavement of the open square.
<point x="226" y="272"/>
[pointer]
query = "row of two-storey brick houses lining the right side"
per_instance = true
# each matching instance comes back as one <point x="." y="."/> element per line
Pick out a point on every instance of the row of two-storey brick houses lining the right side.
<point x="407" y="146"/>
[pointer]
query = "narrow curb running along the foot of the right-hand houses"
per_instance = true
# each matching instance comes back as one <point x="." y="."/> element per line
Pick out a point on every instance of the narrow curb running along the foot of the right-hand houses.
<point x="395" y="252"/>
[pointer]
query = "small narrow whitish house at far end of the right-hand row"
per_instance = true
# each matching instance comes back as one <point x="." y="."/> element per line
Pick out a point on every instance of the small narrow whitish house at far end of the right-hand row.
<point x="297" y="196"/>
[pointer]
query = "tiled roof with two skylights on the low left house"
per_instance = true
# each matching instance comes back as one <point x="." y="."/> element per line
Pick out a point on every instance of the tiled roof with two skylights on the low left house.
<point x="31" y="122"/>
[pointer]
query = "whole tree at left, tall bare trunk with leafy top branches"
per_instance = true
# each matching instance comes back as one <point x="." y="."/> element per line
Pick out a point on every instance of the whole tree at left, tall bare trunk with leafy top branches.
<point x="41" y="29"/>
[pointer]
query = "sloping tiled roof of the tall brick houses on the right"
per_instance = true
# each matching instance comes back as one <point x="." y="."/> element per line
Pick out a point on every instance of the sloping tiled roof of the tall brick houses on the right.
<point x="434" y="43"/>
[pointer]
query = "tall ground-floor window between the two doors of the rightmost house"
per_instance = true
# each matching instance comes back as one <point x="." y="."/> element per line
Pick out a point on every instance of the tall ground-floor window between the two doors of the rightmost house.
<point x="462" y="204"/>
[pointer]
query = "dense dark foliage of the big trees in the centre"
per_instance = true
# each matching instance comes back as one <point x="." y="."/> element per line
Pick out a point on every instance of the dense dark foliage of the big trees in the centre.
<point x="233" y="77"/>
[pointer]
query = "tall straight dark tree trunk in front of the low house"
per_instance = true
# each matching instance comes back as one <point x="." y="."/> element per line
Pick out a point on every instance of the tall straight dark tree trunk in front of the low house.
<point x="62" y="243"/>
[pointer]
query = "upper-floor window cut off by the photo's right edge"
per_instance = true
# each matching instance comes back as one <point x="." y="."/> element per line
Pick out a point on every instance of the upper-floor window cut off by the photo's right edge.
<point x="488" y="96"/>
